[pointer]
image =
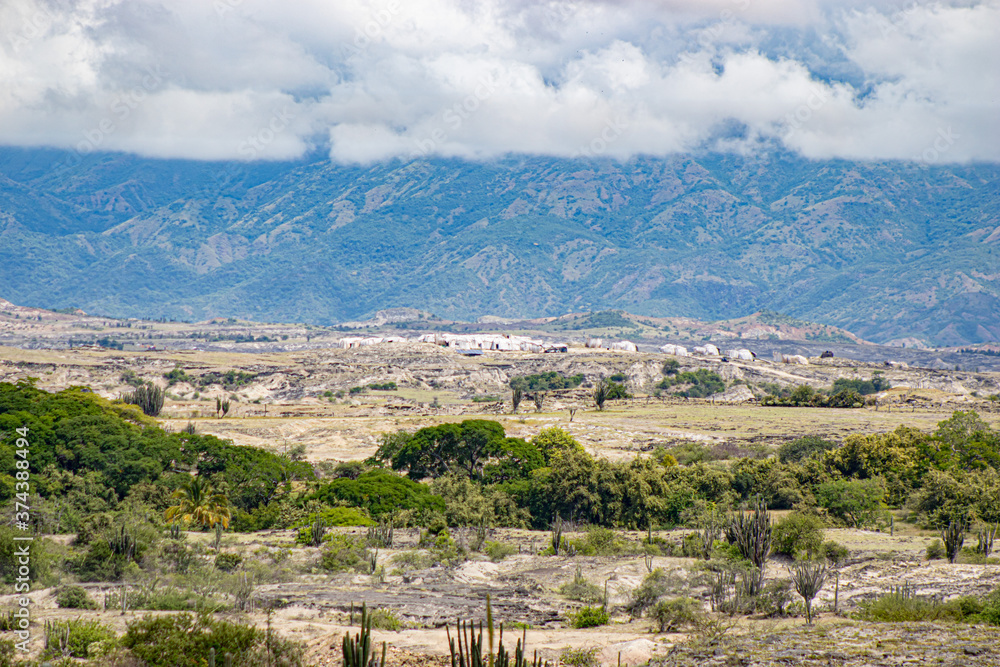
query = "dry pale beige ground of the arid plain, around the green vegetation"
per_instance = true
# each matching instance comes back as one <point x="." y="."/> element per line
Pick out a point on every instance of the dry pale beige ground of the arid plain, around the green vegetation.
<point x="302" y="400"/>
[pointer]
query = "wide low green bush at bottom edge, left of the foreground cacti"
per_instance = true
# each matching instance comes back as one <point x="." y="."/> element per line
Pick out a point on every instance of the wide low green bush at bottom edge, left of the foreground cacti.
<point x="183" y="640"/>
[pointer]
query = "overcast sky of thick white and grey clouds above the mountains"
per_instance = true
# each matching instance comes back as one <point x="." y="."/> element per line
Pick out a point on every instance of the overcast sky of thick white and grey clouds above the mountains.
<point x="368" y="80"/>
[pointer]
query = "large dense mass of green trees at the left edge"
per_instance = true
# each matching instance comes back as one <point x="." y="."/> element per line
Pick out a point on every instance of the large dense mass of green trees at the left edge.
<point x="89" y="456"/>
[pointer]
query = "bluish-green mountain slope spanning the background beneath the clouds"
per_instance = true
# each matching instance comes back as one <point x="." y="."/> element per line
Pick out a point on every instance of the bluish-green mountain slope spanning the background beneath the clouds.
<point x="884" y="250"/>
